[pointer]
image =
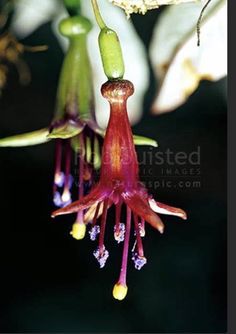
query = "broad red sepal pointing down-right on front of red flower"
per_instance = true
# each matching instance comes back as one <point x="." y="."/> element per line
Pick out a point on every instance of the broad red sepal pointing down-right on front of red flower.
<point x="139" y="206"/>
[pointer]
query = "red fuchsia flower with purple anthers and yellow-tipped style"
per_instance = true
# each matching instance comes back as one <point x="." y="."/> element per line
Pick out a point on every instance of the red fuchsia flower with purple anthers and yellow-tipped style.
<point x="119" y="185"/>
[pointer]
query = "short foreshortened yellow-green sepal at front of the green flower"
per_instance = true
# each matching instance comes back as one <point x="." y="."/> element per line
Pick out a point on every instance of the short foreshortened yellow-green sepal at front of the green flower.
<point x="66" y="130"/>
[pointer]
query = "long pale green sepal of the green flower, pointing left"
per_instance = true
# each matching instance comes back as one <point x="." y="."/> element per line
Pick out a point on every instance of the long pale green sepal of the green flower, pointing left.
<point x="26" y="139"/>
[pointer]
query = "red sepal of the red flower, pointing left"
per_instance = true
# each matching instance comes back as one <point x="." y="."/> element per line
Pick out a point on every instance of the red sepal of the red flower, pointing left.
<point x="97" y="195"/>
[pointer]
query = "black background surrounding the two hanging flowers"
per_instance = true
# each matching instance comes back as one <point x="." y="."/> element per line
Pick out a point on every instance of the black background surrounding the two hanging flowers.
<point x="52" y="283"/>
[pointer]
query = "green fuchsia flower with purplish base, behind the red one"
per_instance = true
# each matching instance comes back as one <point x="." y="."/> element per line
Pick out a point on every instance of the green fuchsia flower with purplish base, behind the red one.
<point x="74" y="125"/>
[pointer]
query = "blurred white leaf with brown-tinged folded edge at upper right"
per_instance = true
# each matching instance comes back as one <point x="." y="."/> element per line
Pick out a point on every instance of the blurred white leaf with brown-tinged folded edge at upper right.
<point x="178" y="62"/>
